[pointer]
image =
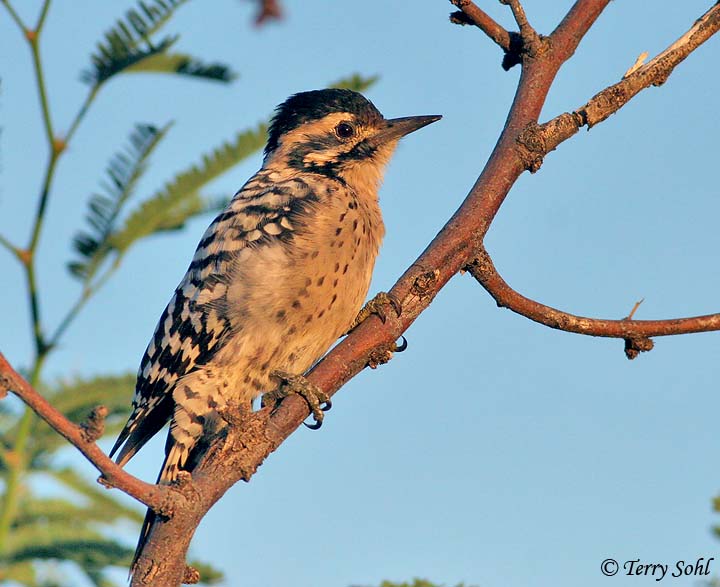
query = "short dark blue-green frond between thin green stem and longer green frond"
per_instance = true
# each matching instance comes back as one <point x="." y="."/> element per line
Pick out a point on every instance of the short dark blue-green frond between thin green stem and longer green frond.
<point x="123" y="173"/>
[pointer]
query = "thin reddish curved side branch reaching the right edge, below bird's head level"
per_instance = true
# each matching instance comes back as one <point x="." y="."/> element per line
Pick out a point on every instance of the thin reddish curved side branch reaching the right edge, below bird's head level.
<point x="482" y="269"/>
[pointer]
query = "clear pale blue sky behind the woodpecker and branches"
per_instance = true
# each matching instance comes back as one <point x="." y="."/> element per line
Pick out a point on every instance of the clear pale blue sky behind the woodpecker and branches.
<point x="494" y="451"/>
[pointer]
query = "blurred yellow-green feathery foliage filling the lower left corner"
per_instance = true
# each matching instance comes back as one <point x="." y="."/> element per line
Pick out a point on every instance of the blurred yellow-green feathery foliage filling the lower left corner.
<point x="77" y="527"/>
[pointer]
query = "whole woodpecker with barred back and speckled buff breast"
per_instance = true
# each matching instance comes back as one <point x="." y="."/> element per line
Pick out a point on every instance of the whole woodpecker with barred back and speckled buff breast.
<point x="277" y="278"/>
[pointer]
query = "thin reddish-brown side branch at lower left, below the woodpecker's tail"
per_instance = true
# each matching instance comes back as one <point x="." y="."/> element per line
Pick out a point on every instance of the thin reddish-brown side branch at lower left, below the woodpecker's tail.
<point x="161" y="499"/>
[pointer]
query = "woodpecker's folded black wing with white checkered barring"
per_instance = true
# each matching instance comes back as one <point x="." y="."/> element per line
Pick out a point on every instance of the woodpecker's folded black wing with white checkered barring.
<point x="193" y="326"/>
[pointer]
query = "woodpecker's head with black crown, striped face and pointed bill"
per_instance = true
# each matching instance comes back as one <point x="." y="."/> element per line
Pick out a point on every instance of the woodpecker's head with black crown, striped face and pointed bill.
<point x="338" y="133"/>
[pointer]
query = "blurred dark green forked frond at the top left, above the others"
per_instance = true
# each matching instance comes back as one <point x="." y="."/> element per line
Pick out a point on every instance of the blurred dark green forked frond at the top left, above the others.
<point x="128" y="47"/>
